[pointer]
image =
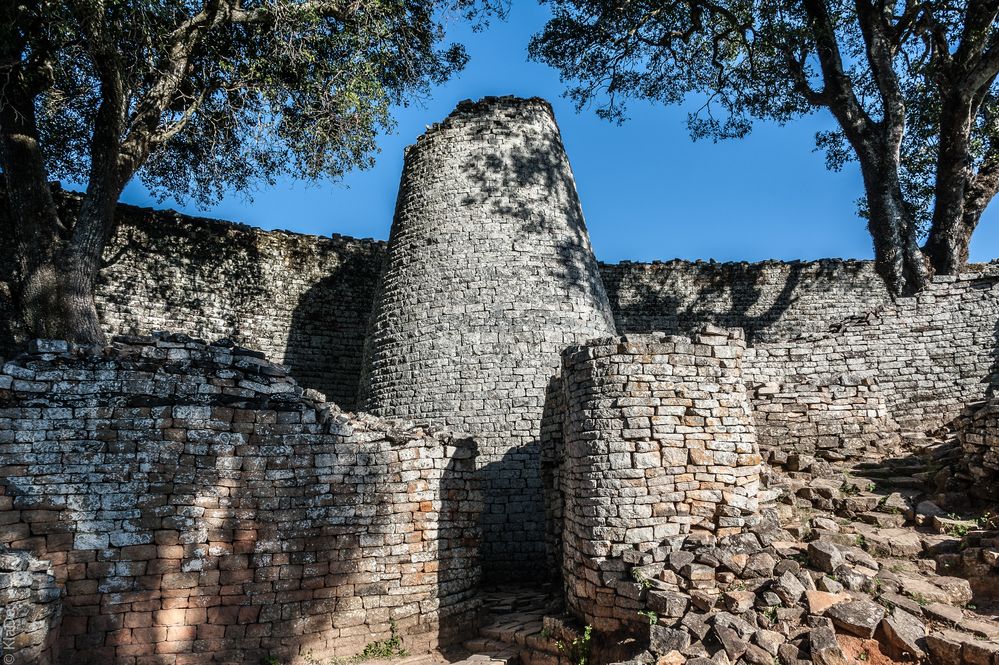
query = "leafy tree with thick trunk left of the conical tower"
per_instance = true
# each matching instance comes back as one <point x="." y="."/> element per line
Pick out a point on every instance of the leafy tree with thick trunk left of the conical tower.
<point x="195" y="97"/>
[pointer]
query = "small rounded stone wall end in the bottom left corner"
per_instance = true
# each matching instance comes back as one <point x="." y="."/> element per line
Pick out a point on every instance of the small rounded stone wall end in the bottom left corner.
<point x="30" y="611"/>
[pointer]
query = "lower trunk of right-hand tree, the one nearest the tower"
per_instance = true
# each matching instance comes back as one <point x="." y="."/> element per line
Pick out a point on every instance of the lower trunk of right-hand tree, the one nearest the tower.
<point x="897" y="257"/>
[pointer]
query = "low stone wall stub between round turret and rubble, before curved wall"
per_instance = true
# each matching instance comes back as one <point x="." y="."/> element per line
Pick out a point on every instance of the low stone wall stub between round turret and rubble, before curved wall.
<point x="837" y="417"/>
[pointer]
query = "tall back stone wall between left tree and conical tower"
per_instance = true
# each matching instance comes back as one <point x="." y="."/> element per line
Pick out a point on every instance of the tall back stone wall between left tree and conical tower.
<point x="302" y="300"/>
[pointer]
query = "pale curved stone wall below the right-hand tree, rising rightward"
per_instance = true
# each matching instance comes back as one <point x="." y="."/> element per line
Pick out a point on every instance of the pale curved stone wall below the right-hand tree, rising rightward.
<point x="931" y="353"/>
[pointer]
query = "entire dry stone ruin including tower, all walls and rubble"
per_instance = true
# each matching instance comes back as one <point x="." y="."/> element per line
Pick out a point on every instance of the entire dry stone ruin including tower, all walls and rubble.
<point x="164" y="501"/>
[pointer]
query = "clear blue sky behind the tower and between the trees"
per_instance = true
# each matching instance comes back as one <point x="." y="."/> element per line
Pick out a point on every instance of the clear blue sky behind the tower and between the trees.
<point x="648" y="191"/>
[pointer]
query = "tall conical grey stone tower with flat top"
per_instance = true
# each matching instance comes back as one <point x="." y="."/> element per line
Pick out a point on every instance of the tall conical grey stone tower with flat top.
<point x="490" y="276"/>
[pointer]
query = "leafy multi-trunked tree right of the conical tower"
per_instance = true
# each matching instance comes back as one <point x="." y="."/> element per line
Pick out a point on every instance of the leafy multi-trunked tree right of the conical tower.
<point x="912" y="86"/>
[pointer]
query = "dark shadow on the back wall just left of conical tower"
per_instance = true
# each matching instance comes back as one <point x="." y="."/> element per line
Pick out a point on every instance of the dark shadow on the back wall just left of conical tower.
<point x="327" y="332"/>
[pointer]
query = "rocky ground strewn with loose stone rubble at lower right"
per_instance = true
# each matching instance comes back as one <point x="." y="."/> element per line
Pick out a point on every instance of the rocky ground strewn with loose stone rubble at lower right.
<point x="853" y="562"/>
